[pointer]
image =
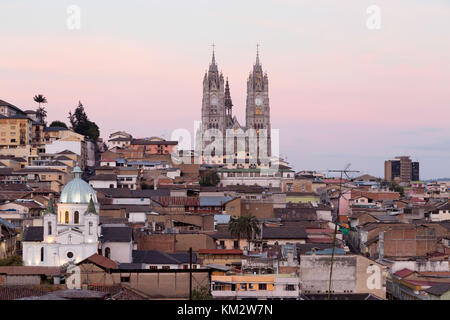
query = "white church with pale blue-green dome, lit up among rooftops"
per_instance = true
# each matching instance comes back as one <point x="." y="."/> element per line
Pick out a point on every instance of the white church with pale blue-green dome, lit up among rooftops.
<point x="70" y="233"/>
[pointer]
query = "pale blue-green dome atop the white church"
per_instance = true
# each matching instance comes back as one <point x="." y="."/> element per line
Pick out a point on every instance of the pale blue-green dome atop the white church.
<point x="77" y="190"/>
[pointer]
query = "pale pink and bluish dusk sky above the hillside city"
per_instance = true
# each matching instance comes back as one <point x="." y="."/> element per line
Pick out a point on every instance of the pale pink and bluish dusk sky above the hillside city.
<point x="357" y="96"/>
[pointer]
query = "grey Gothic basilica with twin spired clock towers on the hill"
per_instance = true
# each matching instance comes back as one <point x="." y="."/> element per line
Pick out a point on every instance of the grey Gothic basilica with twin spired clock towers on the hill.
<point x="240" y="145"/>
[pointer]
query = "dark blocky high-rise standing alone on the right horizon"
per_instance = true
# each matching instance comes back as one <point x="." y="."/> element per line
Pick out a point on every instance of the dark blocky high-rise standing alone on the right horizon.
<point x="401" y="169"/>
